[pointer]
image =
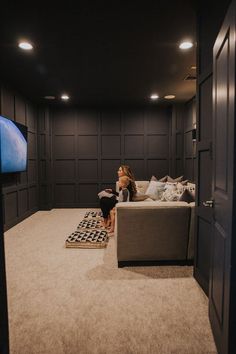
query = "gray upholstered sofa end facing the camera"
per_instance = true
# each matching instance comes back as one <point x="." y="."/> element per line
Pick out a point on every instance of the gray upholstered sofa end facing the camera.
<point x="150" y="231"/>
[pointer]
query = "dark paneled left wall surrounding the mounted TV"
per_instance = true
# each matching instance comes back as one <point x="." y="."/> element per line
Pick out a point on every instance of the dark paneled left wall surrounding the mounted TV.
<point x="20" y="191"/>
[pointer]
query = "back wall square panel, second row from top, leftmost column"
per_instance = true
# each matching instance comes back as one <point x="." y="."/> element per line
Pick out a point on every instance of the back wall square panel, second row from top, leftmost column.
<point x="64" y="147"/>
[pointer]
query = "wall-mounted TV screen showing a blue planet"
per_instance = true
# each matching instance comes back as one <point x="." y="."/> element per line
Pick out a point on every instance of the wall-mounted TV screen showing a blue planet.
<point x="13" y="146"/>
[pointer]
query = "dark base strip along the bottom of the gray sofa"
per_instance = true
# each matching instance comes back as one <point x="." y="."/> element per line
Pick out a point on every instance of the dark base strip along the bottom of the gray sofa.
<point x="184" y="262"/>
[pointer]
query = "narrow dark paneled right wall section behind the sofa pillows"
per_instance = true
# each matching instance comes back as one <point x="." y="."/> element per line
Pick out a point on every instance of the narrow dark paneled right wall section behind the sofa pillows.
<point x="189" y="144"/>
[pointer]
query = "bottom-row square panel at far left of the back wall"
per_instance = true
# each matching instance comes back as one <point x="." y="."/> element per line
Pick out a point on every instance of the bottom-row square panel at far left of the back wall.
<point x="64" y="193"/>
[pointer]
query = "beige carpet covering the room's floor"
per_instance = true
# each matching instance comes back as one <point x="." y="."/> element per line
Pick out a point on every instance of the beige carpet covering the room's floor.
<point x="76" y="301"/>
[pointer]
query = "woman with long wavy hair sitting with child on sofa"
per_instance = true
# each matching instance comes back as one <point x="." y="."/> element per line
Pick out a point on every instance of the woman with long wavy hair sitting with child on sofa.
<point x="107" y="204"/>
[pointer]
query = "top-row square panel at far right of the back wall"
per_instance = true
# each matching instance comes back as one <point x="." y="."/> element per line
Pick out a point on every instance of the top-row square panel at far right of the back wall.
<point x="158" y="121"/>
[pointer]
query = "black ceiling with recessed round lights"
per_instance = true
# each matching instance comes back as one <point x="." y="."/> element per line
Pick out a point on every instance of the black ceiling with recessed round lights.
<point x="100" y="53"/>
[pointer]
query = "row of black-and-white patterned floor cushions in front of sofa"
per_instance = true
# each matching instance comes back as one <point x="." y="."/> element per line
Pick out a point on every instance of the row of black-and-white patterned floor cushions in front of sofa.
<point x="90" y="232"/>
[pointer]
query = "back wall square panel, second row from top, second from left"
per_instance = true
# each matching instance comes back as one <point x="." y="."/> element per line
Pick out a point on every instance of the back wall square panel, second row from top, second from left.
<point x="87" y="146"/>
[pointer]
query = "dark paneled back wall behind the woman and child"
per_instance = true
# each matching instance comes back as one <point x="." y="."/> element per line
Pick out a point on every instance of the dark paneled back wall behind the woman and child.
<point x="88" y="146"/>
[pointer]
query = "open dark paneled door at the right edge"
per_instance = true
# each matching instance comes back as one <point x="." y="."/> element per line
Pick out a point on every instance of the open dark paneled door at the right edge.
<point x="221" y="301"/>
